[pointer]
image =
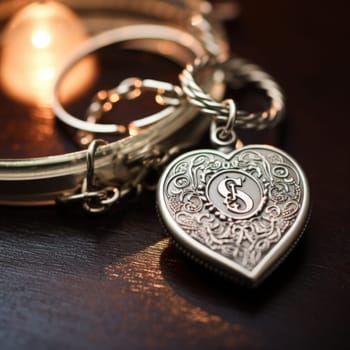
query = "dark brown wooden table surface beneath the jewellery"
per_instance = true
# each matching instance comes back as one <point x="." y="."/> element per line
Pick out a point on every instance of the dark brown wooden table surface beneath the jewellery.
<point x="71" y="281"/>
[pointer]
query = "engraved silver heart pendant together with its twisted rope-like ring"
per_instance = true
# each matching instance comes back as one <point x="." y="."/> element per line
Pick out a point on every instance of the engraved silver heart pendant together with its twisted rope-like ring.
<point x="237" y="210"/>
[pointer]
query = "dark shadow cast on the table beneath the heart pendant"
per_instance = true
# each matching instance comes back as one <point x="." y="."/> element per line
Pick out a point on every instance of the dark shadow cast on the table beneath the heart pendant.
<point x="206" y="289"/>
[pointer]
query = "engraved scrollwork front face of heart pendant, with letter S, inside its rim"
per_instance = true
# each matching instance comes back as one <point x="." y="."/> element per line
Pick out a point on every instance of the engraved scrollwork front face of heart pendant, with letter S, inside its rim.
<point x="239" y="206"/>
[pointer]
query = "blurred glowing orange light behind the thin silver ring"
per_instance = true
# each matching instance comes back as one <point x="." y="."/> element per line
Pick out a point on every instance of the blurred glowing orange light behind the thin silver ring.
<point x="36" y="42"/>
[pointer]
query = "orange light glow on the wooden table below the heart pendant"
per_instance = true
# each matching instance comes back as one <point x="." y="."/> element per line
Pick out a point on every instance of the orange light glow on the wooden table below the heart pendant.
<point x="143" y="279"/>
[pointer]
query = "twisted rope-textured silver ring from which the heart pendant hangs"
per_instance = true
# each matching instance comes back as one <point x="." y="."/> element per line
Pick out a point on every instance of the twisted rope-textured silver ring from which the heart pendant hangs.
<point x="238" y="73"/>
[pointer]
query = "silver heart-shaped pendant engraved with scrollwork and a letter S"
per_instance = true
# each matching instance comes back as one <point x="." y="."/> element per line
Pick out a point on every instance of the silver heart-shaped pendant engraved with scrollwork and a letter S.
<point x="240" y="213"/>
